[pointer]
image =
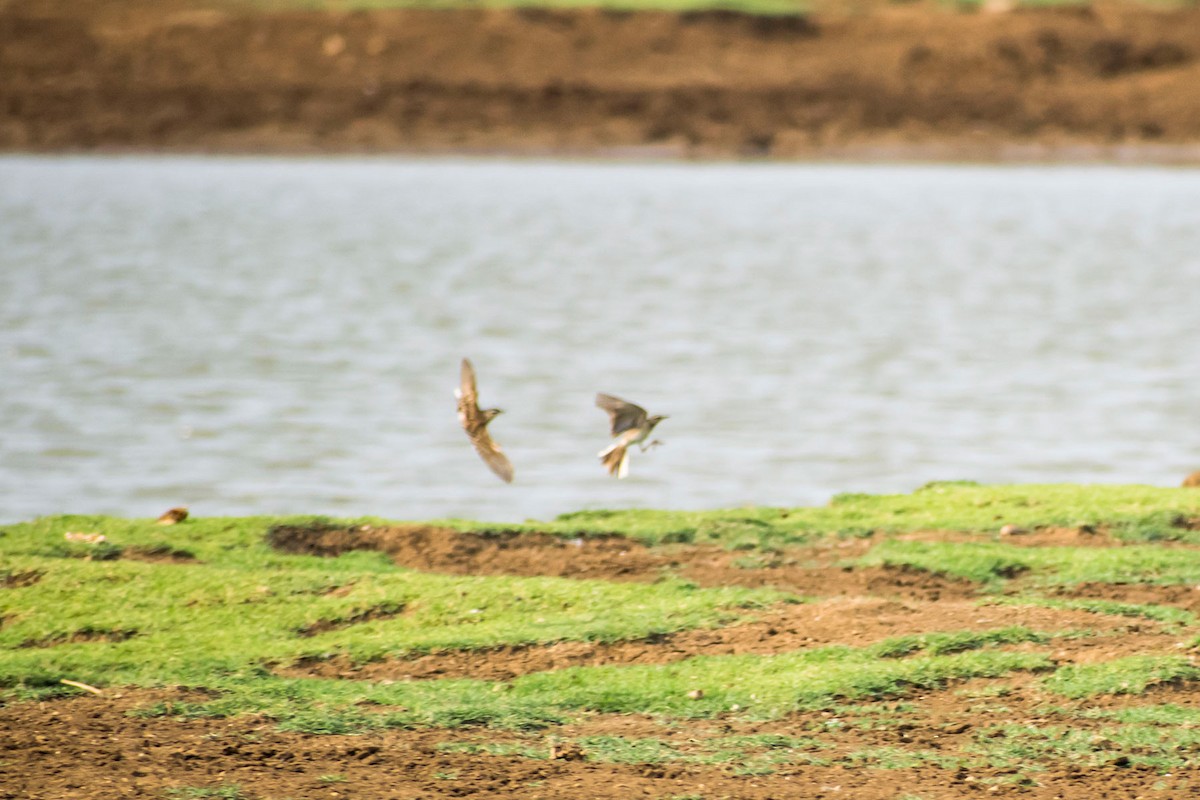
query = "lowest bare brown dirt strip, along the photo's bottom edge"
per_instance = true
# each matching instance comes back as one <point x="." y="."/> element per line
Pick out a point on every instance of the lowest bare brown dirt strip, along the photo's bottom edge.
<point x="89" y="747"/>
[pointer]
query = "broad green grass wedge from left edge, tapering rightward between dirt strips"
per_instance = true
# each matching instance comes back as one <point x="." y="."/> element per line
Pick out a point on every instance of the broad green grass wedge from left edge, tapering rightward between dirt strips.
<point x="148" y="624"/>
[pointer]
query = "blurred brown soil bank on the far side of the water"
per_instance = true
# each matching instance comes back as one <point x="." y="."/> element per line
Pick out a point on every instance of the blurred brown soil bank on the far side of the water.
<point x="915" y="80"/>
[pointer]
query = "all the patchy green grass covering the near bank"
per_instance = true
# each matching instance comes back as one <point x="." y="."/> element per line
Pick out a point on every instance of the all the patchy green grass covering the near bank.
<point x="211" y="607"/>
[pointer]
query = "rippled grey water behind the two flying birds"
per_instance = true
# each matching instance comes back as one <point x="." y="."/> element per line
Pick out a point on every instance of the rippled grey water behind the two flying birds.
<point x="250" y="336"/>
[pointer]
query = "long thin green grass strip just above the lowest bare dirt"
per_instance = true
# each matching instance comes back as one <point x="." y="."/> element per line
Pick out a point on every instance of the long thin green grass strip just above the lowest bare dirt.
<point x="758" y="688"/>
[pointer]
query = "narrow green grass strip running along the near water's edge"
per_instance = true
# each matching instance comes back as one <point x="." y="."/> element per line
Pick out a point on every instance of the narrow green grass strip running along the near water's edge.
<point x="1136" y="514"/>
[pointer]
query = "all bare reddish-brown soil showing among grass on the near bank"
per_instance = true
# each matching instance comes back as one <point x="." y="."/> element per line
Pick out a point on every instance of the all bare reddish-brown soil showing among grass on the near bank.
<point x="88" y="747"/>
